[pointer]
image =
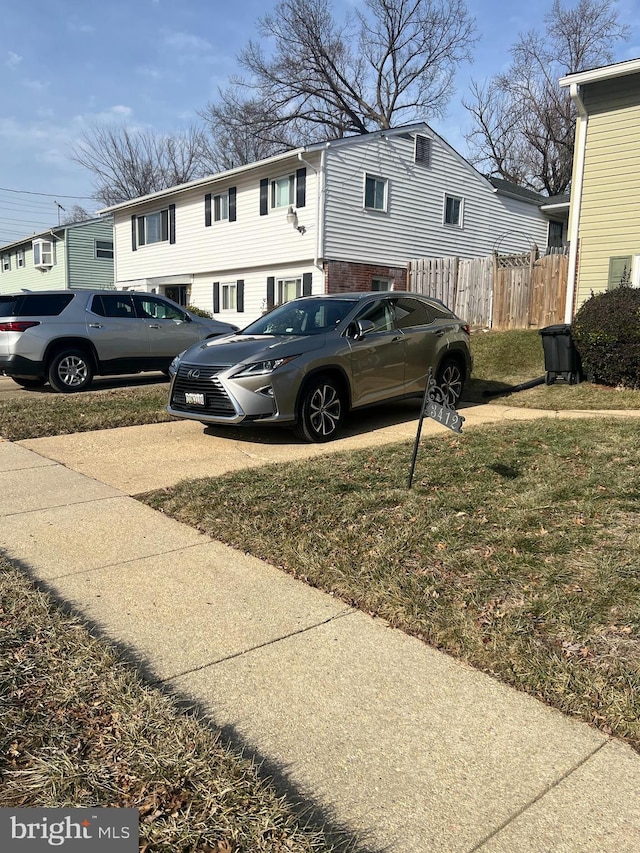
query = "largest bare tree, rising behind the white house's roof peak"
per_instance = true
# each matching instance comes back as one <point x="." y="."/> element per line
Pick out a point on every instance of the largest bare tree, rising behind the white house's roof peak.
<point x="313" y="78"/>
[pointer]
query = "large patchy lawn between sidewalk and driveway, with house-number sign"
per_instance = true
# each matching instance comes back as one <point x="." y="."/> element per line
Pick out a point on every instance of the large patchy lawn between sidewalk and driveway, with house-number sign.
<point x="517" y="549"/>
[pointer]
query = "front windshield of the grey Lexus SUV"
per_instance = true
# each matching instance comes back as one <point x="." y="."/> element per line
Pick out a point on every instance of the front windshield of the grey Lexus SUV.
<point x="302" y="317"/>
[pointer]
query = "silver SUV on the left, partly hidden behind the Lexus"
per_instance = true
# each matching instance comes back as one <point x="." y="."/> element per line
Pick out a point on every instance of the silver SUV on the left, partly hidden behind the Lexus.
<point x="65" y="337"/>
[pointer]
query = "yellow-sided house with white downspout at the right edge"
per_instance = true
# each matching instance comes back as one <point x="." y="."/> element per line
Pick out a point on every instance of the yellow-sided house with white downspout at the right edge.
<point x="604" y="219"/>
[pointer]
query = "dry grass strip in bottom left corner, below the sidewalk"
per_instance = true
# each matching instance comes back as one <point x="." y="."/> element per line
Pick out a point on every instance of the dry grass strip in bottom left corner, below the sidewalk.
<point x="78" y="727"/>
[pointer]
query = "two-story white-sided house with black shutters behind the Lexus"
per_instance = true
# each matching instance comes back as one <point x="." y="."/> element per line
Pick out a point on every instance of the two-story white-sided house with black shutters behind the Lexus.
<point x="344" y="215"/>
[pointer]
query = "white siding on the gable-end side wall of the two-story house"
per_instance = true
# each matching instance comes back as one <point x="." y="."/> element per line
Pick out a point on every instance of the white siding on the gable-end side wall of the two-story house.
<point x="414" y="226"/>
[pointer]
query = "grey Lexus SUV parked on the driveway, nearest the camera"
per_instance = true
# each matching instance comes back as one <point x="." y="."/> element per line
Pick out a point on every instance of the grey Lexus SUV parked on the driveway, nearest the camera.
<point x="309" y="361"/>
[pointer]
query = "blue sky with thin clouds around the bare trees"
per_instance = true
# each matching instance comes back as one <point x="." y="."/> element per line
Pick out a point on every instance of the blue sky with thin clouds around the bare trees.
<point x="66" y="65"/>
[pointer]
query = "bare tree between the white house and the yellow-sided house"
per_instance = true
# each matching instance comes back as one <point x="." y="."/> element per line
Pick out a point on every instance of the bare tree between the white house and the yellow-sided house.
<point x="523" y="123"/>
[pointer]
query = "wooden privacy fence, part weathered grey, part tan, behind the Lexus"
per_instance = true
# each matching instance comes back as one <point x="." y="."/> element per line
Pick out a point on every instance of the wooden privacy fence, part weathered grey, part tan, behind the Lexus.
<point x="497" y="291"/>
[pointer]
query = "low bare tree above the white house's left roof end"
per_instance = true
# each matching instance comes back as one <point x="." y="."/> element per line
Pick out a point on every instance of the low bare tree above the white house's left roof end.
<point x="126" y="163"/>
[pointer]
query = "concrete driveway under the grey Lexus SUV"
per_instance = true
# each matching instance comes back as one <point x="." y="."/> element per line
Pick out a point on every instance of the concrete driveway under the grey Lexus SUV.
<point x="140" y="458"/>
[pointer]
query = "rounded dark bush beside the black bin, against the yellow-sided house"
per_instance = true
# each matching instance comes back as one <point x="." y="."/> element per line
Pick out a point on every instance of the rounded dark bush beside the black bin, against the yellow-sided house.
<point x="606" y="334"/>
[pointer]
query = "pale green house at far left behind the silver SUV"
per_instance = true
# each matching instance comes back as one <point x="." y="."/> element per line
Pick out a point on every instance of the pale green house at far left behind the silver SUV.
<point x="76" y="255"/>
